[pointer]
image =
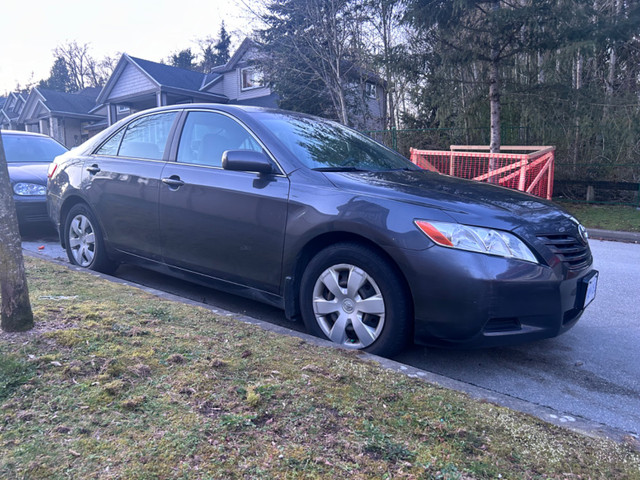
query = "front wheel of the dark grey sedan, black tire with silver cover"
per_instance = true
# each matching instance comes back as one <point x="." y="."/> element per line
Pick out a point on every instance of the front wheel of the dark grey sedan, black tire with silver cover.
<point x="353" y="297"/>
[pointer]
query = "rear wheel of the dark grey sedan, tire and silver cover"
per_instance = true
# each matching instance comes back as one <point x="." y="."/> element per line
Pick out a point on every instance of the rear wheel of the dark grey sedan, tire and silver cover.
<point x="84" y="241"/>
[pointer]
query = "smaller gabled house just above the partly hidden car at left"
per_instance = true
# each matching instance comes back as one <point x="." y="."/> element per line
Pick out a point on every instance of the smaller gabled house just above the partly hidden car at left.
<point x="63" y="116"/>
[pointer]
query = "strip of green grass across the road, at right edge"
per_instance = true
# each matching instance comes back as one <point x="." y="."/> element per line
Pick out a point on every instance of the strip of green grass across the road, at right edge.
<point x="606" y="217"/>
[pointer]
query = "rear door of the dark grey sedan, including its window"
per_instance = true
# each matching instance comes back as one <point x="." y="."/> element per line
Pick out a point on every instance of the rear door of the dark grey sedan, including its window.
<point x="123" y="179"/>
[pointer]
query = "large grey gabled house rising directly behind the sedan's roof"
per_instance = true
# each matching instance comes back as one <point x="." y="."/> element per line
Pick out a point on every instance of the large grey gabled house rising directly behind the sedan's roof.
<point x="138" y="84"/>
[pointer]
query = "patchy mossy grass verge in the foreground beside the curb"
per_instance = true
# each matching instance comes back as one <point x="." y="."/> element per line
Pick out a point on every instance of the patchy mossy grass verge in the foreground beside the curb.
<point x="116" y="383"/>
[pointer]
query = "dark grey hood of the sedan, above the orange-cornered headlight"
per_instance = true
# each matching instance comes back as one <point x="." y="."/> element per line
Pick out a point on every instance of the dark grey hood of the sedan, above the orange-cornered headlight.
<point x="467" y="201"/>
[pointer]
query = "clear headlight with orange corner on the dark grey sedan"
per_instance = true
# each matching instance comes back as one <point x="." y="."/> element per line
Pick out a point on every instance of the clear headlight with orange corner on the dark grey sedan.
<point x="476" y="239"/>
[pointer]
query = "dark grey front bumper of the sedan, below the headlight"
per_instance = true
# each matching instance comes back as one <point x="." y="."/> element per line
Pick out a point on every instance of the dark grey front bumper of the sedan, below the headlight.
<point x="474" y="300"/>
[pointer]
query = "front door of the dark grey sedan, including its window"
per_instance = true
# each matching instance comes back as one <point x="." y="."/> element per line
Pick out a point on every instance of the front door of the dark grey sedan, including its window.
<point x="225" y="224"/>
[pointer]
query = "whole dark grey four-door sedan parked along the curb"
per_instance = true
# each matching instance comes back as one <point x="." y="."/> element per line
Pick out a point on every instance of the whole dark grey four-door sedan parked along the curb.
<point x="305" y="214"/>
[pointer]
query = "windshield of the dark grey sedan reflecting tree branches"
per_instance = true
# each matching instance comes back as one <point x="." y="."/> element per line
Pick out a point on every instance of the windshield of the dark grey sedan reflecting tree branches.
<point x="328" y="146"/>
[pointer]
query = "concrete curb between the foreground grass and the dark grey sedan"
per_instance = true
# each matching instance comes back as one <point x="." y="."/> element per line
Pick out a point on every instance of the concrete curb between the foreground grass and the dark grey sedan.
<point x="580" y="425"/>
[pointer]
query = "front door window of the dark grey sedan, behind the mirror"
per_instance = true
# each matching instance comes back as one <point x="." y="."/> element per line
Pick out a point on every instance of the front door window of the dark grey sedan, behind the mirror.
<point x="207" y="135"/>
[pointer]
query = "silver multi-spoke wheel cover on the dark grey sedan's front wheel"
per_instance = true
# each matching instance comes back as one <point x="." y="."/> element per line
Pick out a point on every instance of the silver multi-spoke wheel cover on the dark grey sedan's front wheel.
<point x="348" y="306"/>
